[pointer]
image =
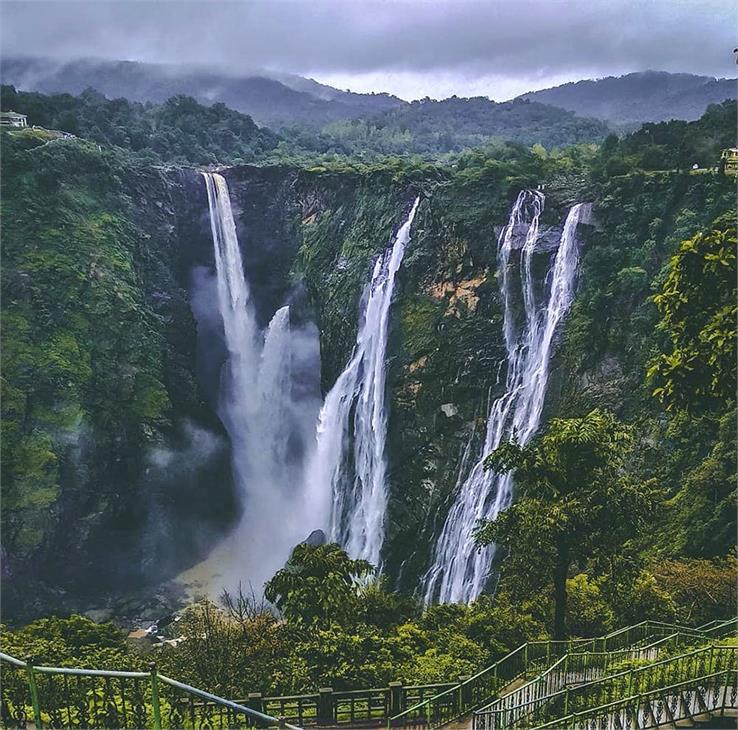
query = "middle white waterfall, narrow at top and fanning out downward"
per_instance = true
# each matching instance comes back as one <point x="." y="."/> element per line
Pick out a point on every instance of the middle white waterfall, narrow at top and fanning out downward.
<point x="348" y="476"/>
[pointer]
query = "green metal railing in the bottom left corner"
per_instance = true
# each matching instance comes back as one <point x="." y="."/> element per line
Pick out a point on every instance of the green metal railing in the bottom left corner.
<point x="57" y="697"/>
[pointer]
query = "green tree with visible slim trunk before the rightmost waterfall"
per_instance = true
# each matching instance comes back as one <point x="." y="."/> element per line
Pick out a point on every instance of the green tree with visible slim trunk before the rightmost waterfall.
<point x="576" y="503"/>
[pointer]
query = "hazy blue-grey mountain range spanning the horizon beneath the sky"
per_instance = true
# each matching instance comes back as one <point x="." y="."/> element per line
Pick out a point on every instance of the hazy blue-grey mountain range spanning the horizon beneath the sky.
<point x="319" y="118"/>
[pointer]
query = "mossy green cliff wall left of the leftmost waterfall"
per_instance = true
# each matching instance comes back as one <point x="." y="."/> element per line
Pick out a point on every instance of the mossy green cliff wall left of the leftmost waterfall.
<point x="115" y="470"/>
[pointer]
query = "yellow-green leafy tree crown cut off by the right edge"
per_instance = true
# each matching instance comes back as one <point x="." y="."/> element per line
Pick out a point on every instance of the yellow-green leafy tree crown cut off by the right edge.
<point x="697" y="304"/>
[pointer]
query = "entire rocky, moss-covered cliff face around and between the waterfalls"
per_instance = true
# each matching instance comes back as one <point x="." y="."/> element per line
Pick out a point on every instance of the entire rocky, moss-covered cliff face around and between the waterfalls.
<point x="116" y="468"/>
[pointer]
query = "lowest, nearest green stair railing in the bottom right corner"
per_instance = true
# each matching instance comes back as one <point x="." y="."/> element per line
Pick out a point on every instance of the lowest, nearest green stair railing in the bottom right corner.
<point x="695" y="699"/>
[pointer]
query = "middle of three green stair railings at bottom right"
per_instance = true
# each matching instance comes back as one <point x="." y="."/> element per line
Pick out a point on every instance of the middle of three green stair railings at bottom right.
<point x="573" y="684"/>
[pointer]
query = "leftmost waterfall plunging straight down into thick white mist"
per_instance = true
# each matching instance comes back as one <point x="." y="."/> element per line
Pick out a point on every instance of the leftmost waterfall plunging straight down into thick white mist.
<point x="266" y="420"/>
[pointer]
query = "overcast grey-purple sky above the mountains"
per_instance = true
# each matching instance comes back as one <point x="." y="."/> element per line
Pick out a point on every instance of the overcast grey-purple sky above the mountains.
<point x="412" y="48"/>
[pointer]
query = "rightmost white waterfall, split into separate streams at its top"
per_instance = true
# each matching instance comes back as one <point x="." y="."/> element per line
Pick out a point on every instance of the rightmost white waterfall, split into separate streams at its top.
<point x="460" y="570"/>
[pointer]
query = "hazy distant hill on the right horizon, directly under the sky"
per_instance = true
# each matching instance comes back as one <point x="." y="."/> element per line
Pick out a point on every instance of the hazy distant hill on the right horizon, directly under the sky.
<point x="648" y="96"/>
